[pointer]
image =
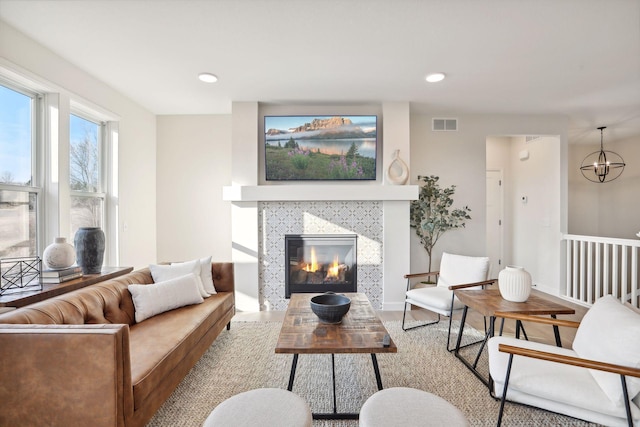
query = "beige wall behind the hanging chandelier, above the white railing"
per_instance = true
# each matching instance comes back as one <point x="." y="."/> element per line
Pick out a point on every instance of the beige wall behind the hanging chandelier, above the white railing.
<point x="608" y="209"/>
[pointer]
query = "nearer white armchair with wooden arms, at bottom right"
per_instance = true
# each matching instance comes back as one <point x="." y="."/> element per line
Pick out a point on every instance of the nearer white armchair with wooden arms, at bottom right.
<point x="598" y="380"/>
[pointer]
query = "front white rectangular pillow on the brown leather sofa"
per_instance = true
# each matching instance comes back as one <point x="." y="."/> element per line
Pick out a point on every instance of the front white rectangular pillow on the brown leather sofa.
<point x="159" y="297"/>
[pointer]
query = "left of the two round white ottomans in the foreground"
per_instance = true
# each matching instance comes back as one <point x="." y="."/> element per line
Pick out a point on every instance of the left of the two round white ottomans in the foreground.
<point x="261" y="407"/>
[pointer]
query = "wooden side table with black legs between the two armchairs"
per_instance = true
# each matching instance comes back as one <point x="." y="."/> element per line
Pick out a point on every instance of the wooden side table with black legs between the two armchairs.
<point x="488" y="302"/>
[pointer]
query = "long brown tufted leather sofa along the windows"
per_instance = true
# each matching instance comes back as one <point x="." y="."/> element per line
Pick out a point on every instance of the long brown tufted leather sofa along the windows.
<point x="80" y="359"/>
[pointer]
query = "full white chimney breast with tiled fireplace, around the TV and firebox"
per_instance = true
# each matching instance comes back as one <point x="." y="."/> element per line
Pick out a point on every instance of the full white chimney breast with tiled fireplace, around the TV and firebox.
<point x="262" y="213"/>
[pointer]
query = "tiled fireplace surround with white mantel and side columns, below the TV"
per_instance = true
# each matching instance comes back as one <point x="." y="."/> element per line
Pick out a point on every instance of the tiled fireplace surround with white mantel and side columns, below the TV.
<point x="382" y="227"/>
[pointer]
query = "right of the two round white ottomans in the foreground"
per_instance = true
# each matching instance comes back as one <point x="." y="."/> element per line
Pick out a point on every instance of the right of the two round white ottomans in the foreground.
<point x="409" y="407"/>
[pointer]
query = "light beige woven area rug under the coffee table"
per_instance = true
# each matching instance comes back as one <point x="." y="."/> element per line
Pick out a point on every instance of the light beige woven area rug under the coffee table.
<point x="244" y="359"/>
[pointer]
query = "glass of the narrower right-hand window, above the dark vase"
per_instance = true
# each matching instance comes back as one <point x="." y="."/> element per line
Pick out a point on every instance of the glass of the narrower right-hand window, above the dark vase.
<point x="86" y="173"/>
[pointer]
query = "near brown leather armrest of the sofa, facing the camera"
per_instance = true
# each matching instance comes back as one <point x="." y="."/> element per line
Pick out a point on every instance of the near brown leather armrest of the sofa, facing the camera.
<point x="65" y="375"/>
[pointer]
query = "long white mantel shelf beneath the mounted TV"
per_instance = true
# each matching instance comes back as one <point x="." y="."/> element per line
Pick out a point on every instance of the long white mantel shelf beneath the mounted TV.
<point x="325" y="192"/>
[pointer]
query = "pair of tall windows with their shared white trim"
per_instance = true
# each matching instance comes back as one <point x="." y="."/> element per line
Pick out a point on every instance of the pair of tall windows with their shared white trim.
<point x="43" y="195"/>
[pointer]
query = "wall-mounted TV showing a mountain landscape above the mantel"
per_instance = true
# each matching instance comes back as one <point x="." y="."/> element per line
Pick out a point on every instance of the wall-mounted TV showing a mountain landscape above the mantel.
<point x="321" y="148"/>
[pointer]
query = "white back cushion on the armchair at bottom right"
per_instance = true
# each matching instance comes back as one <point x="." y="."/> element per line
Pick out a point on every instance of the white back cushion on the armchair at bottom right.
<point x="610" y="332"/>
